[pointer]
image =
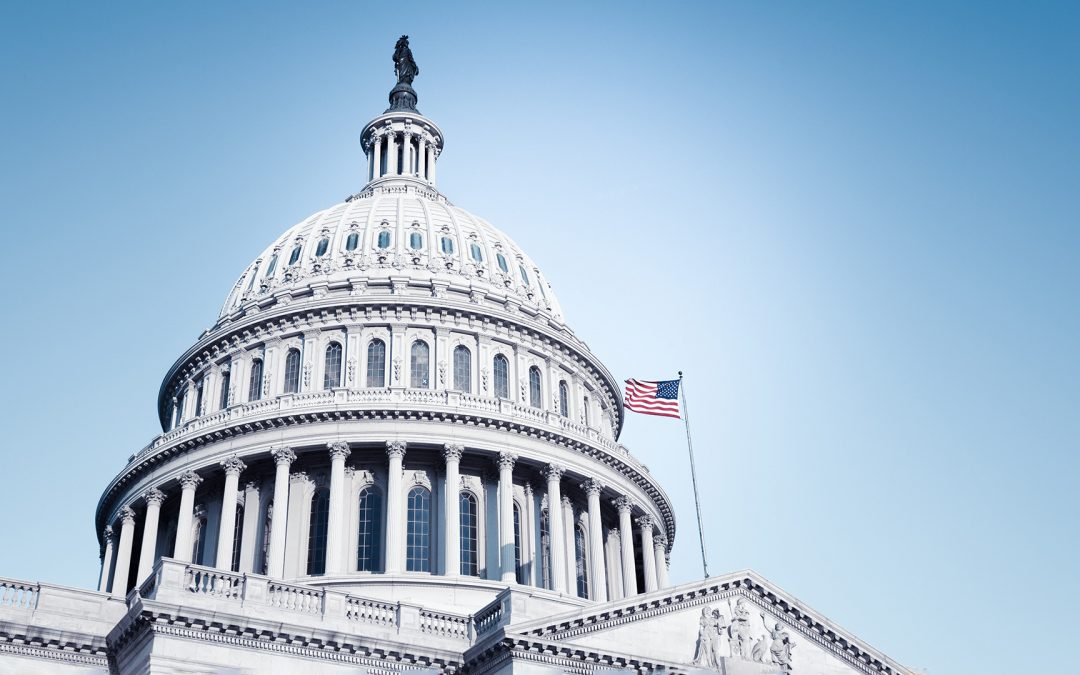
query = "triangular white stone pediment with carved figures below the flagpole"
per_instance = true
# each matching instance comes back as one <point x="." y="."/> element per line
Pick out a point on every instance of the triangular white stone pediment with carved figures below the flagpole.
<point x="738" y="625"/>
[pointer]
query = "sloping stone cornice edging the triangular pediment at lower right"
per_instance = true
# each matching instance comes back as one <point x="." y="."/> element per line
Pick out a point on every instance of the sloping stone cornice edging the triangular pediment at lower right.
<point x="780" y="605"/>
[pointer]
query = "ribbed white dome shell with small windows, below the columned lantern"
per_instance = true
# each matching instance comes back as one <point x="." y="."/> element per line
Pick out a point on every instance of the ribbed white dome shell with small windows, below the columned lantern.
<point x="396" y="233"/>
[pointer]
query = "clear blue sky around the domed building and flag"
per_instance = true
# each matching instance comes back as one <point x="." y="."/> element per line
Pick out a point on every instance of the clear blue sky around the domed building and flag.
<point x="855" y="225"/>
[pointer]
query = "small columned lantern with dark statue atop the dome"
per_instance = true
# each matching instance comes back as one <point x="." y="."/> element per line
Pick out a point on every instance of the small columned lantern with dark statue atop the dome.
<point x="401" y="143"/>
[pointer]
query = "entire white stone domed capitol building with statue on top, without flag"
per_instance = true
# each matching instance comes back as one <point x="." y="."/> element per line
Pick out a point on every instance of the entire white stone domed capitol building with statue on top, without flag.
<point x="391" y="453"/>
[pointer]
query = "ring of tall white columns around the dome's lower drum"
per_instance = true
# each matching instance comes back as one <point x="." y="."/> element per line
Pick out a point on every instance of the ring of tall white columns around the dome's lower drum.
<point x="561" y="557"/>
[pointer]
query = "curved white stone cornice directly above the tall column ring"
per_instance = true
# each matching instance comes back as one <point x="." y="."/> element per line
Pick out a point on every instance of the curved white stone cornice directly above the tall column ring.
<point x="276" y="420"/>
